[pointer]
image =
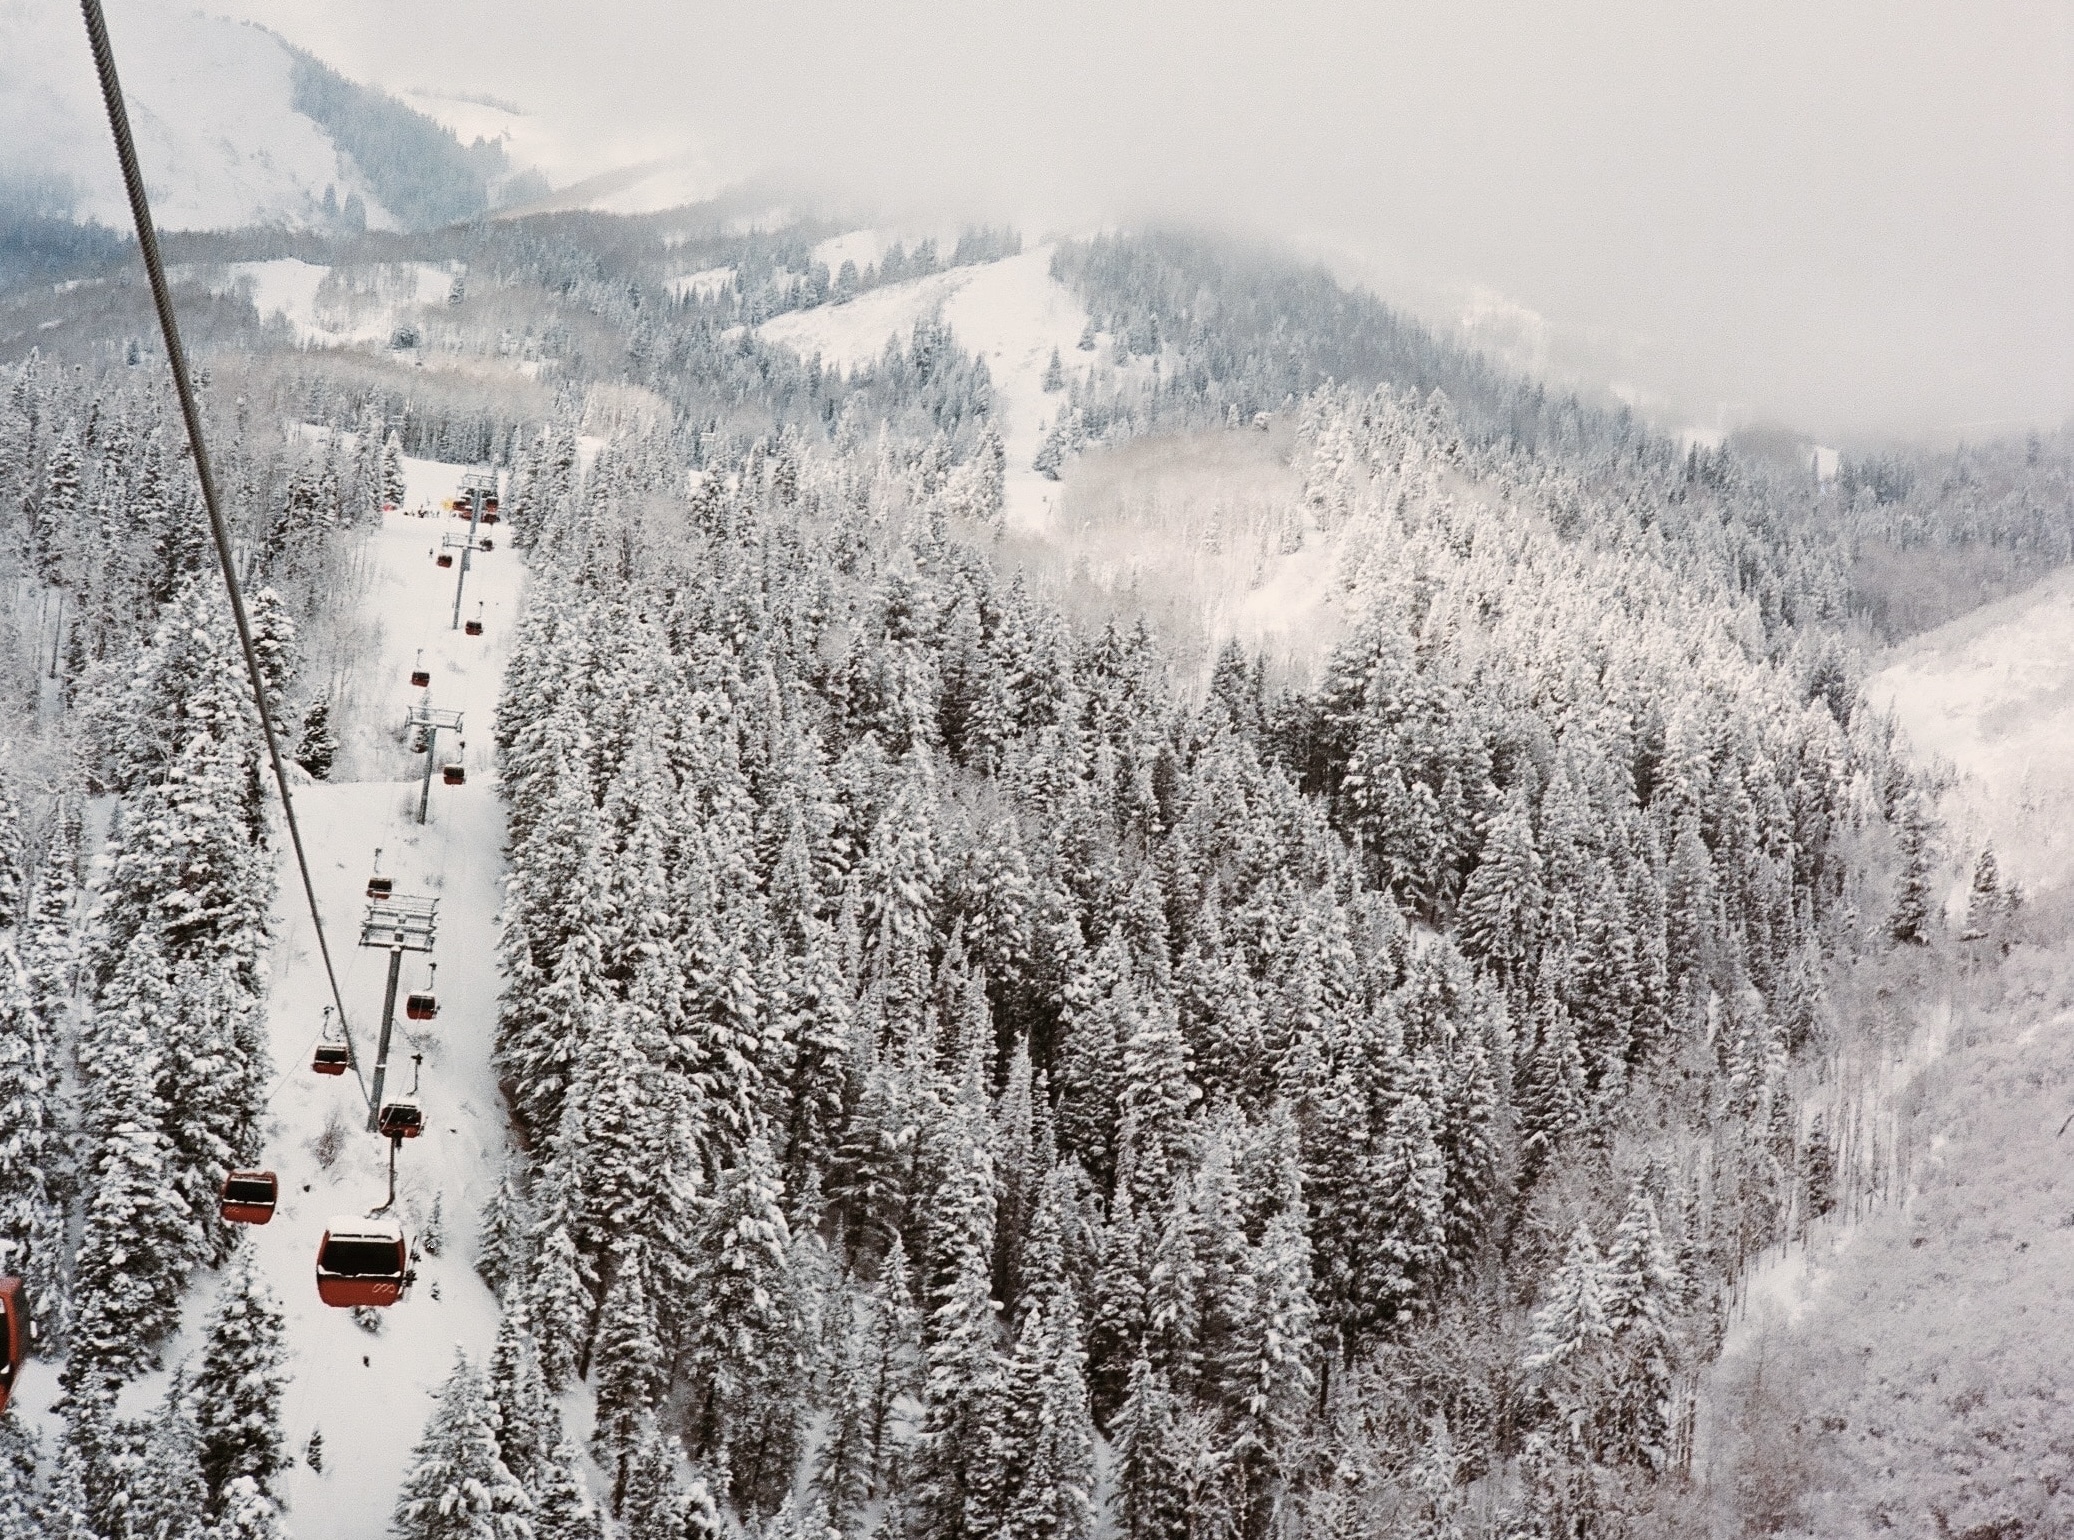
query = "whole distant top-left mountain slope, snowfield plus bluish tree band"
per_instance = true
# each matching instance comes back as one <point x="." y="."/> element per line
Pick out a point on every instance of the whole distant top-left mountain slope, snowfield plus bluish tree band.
<point x="235" y="127"/>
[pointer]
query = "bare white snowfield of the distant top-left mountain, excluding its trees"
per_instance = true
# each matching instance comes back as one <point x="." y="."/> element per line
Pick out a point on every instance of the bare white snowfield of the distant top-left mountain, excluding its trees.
<point x="211" y="105"/>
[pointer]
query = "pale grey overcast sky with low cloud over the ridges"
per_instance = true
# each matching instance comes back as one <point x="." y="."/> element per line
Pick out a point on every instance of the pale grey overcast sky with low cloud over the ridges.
<point x="1855" y="217"/>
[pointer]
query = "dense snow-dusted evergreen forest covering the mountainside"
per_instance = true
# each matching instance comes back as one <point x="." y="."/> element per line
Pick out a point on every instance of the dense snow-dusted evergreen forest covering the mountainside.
<point x="976" y="1071"/>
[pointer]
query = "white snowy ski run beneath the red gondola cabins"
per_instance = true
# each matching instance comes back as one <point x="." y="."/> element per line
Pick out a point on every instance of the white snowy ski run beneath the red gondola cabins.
<point x="370" y="1394"/>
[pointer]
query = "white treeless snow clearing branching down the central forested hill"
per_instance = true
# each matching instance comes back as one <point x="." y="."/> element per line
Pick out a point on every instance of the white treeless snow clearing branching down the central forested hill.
<point x="1009" y="312"/>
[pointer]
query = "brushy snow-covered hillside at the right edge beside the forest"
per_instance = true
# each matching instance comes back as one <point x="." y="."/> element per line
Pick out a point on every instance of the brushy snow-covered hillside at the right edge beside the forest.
<point x="1961" y="1280"/>
